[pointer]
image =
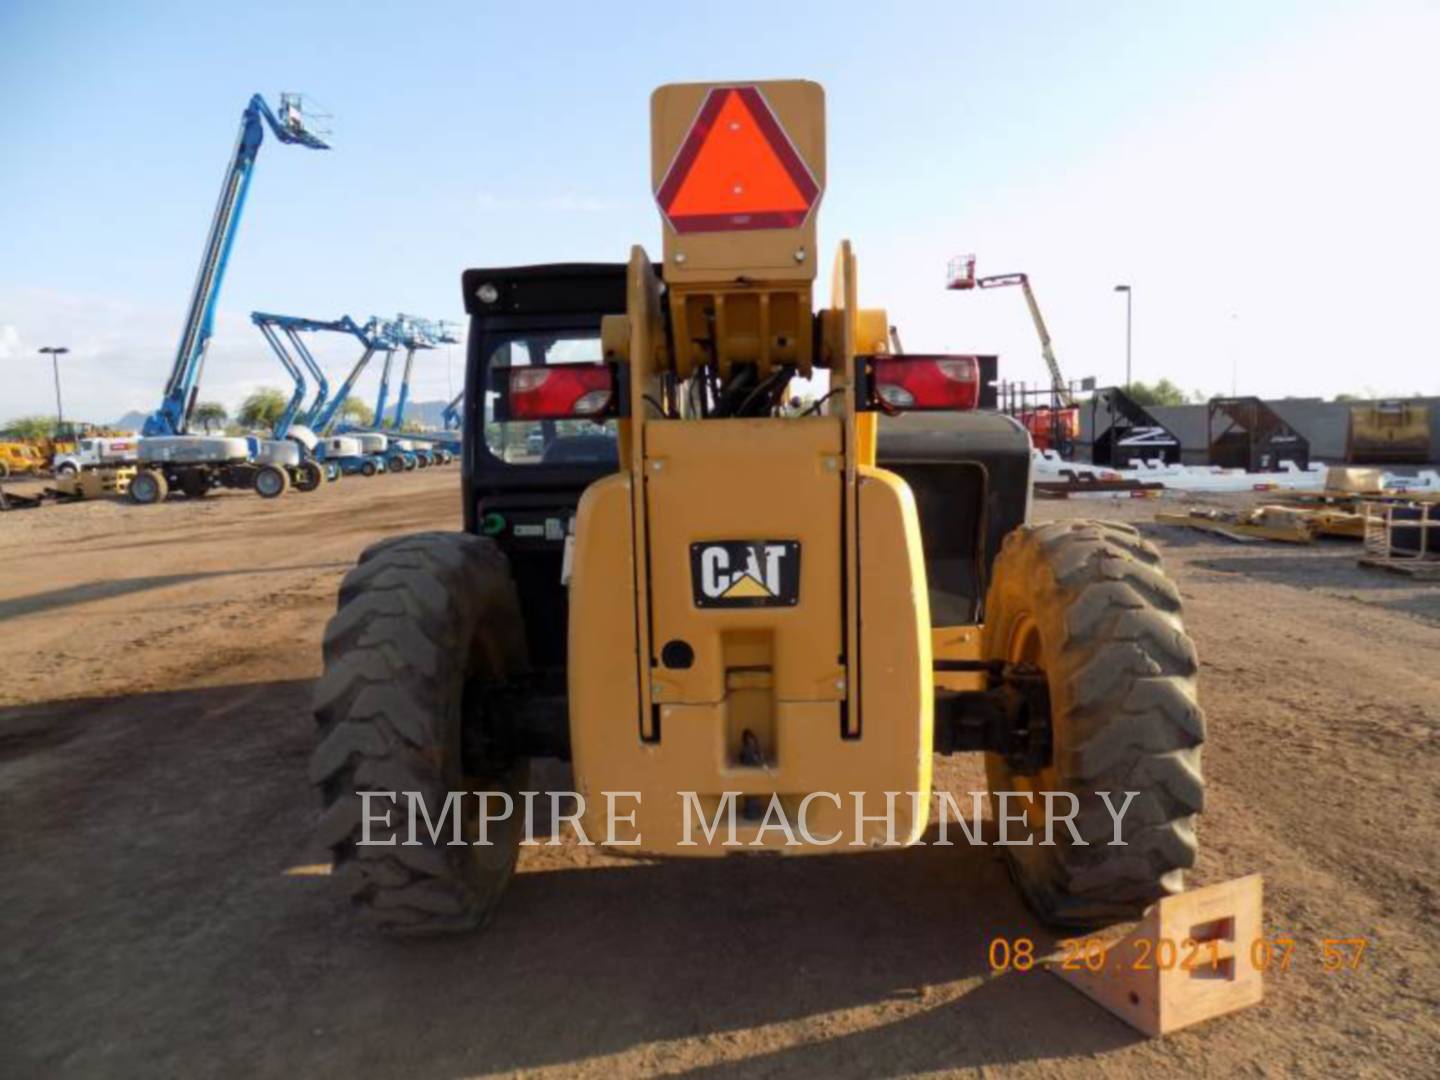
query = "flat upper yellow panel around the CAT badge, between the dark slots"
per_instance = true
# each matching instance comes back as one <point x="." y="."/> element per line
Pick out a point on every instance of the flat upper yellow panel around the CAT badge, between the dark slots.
<point x="747" y="480"/>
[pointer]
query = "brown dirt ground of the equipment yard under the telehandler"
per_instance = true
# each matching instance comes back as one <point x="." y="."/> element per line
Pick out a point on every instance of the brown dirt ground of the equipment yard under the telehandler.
<point x="155" y="810"/>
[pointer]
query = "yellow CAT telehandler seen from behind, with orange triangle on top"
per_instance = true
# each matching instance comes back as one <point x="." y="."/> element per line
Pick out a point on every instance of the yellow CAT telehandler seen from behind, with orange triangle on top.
<point x="748" y="626"/>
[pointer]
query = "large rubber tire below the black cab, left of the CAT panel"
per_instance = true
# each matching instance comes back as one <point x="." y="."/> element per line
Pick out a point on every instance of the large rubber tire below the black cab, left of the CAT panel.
<point x="421" y="618"/>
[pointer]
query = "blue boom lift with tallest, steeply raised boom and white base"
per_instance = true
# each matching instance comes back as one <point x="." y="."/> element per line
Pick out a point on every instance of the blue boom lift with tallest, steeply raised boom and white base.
<point x="169" y="456"/>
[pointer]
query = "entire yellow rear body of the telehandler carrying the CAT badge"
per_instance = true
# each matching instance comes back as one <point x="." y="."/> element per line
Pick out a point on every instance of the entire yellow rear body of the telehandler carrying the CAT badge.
<point x="775" y="673"/>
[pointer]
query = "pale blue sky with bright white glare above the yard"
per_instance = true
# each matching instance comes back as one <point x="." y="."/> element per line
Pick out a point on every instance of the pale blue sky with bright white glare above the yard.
<point x="1264" y="174"/>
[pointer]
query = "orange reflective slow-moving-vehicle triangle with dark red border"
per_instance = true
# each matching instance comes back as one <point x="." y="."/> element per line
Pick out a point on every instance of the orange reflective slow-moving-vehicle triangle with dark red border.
<point x="737" y="171"/>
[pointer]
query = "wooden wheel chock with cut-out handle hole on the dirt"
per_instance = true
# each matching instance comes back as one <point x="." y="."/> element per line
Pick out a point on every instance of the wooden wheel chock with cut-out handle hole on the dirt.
<point x="1143" y="978"/>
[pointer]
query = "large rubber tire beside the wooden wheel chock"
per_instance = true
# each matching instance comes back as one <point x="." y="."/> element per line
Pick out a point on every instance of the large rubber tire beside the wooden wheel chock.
<point x="1124" y="711"/>
